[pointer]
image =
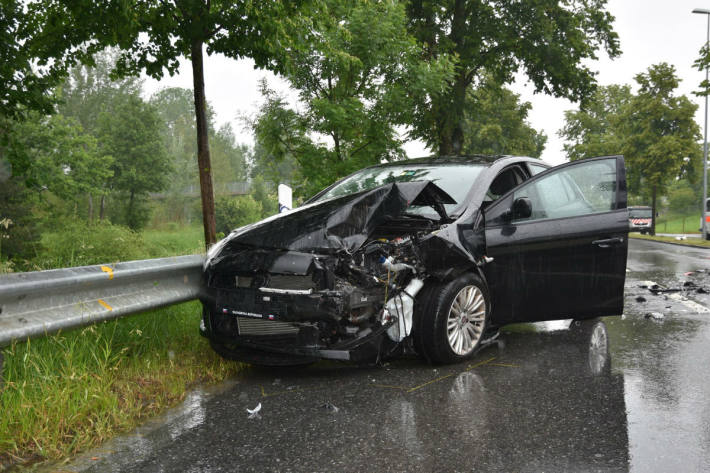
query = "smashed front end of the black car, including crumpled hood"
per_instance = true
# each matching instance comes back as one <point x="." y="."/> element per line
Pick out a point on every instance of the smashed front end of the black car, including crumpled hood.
<point x="334" y="279"/>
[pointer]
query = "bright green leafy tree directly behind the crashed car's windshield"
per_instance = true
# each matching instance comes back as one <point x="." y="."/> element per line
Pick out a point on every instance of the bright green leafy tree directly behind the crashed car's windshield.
<point x="355" y="79"/>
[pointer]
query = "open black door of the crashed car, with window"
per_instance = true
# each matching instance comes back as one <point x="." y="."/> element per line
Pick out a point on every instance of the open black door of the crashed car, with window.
<point x="558" y="243"/>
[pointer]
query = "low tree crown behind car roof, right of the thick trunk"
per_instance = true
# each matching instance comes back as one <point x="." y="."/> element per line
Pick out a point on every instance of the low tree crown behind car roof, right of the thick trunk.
<point x="496" y="123"/>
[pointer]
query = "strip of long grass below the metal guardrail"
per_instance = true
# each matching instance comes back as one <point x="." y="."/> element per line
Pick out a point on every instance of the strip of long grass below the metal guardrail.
<point x="71" y="391"/>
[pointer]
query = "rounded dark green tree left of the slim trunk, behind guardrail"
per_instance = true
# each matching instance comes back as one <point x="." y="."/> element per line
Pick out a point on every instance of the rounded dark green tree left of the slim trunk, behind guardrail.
<point x="131" y="133"/>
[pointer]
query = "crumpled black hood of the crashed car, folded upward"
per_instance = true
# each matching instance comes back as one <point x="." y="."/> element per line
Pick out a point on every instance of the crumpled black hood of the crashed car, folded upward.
<point x="342" y="223"/>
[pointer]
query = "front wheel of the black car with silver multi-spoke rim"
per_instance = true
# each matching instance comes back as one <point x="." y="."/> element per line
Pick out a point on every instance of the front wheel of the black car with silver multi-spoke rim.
<point x="453" y="320"/>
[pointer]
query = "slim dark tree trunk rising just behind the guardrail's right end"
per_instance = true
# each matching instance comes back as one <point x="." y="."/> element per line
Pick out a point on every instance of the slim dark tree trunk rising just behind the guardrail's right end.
<point x="203" y="150"/>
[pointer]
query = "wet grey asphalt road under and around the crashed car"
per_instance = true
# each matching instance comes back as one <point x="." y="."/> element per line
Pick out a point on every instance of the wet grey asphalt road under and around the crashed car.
<point x="546" y="397"/>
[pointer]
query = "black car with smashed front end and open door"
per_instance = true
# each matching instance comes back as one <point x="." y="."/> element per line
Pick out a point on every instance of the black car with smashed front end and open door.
<point x="427" y="254"/>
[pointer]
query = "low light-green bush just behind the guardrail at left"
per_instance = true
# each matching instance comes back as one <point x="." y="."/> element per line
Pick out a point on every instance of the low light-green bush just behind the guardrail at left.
<point x="79" y="244"/>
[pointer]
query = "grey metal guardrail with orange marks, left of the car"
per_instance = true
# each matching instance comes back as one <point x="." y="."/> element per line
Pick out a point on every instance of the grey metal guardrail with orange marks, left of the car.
<point x="43" y="302"/>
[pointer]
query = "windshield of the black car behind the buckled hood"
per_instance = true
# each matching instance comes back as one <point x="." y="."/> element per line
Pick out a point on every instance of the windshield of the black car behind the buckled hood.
<point x="455" y="179"/>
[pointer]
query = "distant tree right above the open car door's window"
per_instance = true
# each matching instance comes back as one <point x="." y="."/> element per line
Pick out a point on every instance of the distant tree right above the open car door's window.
<point x="593" y="129"/>
